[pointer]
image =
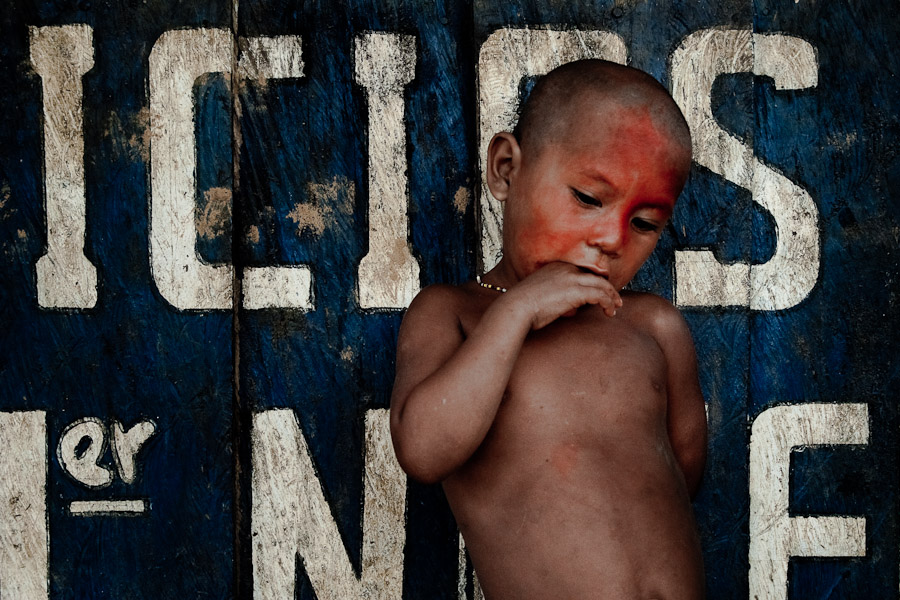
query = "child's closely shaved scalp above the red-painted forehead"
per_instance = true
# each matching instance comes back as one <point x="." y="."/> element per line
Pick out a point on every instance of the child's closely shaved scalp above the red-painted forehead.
<point x="550" y="109"/>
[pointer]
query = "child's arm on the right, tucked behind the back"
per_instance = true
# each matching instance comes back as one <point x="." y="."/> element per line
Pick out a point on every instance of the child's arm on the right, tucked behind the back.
<point x="686" y="416"/>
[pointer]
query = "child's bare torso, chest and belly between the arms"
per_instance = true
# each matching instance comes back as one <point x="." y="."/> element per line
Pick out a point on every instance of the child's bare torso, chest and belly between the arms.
<point x="575" y="493"/>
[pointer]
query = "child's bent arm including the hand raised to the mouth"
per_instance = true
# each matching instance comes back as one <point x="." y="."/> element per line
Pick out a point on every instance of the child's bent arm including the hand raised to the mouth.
<point x="449" y="386"/>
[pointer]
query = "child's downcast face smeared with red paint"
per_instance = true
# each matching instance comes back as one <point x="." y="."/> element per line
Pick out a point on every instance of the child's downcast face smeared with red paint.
<point x="597" y="197"/>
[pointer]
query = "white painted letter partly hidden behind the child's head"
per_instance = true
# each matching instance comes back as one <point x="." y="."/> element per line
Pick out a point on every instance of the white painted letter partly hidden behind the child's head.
<point x="506" y="58"/>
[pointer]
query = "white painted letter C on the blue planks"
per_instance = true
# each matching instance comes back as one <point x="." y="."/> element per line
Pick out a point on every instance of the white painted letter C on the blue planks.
<point x="178" y="58"/>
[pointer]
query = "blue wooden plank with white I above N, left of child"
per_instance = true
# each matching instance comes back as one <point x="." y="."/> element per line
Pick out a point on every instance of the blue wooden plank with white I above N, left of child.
<point x="360" y="169"/>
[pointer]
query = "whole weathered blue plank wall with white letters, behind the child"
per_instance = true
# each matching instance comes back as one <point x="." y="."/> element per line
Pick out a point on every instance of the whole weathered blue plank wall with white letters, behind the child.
<point x="213" y="214"/>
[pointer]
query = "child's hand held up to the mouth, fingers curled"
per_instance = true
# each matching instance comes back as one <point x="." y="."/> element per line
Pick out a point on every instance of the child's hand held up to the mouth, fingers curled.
<point x="558" y="289"/>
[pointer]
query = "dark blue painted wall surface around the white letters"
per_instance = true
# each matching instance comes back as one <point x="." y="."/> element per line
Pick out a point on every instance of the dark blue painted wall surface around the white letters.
<point x="200" y="375"/>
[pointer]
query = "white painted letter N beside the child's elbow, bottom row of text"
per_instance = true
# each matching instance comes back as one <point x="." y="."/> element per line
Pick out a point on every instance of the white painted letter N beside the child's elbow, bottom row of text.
<point x="290" y="515"/>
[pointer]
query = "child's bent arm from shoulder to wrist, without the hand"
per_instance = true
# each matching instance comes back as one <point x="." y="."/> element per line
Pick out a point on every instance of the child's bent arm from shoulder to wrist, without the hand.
<point x="448" y="388"/>
